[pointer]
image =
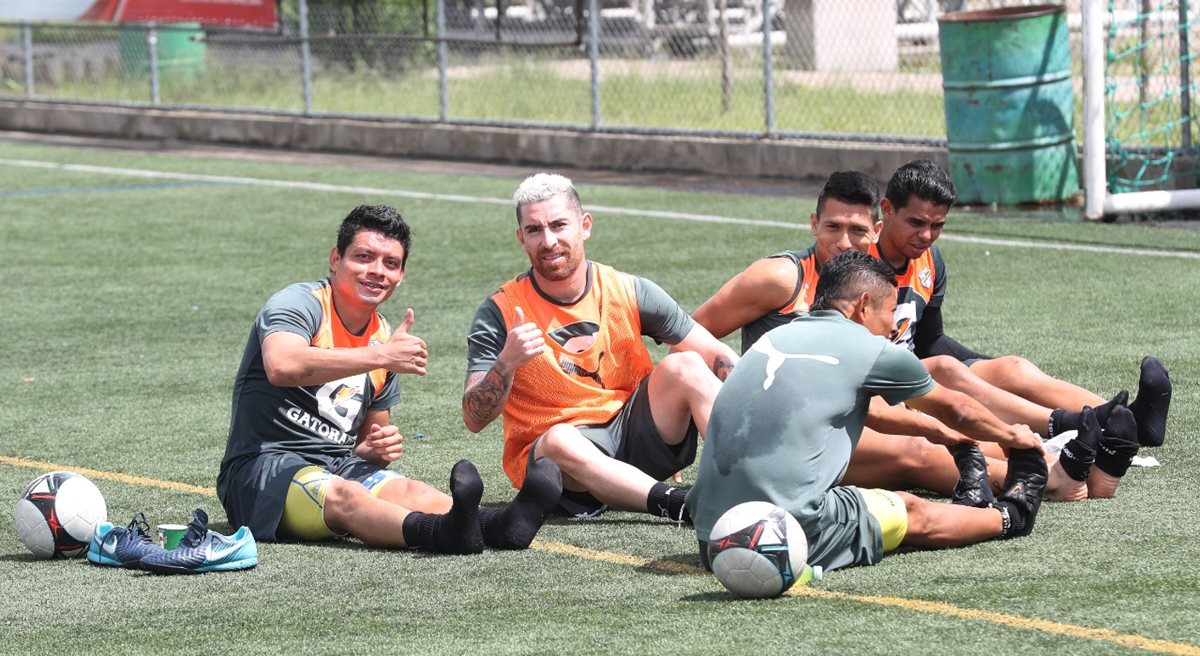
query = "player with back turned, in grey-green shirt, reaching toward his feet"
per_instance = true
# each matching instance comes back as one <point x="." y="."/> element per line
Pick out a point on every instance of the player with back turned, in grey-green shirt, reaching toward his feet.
<point x="789" y="418"/>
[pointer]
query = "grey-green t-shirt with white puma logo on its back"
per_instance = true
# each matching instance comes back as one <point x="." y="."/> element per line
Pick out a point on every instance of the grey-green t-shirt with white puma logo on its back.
<point x="788" y="419"/>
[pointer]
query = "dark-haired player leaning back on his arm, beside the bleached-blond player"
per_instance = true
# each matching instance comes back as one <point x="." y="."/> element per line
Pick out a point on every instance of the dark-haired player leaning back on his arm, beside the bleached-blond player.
<point x="778" y="288"/>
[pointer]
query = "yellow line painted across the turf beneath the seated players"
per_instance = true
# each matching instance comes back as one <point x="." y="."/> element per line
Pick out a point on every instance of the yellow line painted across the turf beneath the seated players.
<point x="933" y="607"/>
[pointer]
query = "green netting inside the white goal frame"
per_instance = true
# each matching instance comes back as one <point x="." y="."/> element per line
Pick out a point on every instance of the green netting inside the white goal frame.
<point x="1151" y="95"/>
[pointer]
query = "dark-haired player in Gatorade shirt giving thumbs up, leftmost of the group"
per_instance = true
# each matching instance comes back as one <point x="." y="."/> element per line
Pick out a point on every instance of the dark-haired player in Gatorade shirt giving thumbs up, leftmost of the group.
<point x="311" y="437"/>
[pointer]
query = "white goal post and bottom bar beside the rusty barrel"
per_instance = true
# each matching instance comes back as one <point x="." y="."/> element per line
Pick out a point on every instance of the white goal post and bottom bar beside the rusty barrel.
<point x="1099" y="201"/>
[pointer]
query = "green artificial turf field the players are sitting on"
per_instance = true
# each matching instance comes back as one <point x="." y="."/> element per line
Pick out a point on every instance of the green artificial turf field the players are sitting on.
<point x="131" y="281"/>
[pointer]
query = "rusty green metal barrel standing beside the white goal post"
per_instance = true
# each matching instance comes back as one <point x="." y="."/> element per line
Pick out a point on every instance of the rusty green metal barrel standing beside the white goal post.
<point x="1010" y="105"/>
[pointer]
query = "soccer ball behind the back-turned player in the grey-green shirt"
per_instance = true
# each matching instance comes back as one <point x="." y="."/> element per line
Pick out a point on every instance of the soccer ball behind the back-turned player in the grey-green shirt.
<point x="758" y="550"/>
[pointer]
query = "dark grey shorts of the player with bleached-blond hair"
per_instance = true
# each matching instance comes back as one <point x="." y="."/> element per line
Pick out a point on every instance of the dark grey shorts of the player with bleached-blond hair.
<point x="632" y="438"/>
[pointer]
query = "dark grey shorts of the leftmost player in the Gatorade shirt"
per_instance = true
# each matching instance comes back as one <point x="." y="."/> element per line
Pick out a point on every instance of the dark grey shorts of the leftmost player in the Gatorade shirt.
<point x="254" y="491"/>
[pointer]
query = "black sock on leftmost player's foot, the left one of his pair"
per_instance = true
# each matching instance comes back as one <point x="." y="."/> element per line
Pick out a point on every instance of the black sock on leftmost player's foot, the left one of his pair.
<point x="457" y="532"/>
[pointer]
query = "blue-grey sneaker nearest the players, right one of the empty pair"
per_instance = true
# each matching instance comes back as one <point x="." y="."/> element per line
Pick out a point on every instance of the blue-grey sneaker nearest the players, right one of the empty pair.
<point x="203" y="551"/>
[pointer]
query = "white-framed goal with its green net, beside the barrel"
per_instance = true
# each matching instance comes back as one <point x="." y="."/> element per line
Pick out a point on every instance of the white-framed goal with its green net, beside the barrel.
<point x="1142" y="67"/>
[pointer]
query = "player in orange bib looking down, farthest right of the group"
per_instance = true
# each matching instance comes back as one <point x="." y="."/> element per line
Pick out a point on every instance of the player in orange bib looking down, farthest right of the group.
<point x="919" y="197"/>
